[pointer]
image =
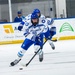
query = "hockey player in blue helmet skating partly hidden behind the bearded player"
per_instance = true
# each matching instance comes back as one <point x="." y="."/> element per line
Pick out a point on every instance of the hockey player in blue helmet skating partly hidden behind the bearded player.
<point x="51" y="29"/>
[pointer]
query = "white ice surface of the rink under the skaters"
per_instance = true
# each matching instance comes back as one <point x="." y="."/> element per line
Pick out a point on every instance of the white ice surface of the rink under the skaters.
<point x="60" y="61"/>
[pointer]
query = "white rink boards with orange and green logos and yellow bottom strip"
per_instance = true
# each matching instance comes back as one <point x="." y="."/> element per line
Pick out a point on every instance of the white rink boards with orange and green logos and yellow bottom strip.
<point x="65" y="30"/>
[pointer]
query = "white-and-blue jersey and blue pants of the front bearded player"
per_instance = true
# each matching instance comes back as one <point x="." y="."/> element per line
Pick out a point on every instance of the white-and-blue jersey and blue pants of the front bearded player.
<point x="34" y="34"/>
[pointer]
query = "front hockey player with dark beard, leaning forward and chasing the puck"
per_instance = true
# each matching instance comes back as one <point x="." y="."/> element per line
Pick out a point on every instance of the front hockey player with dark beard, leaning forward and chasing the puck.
<point x="34" y="35"/>
